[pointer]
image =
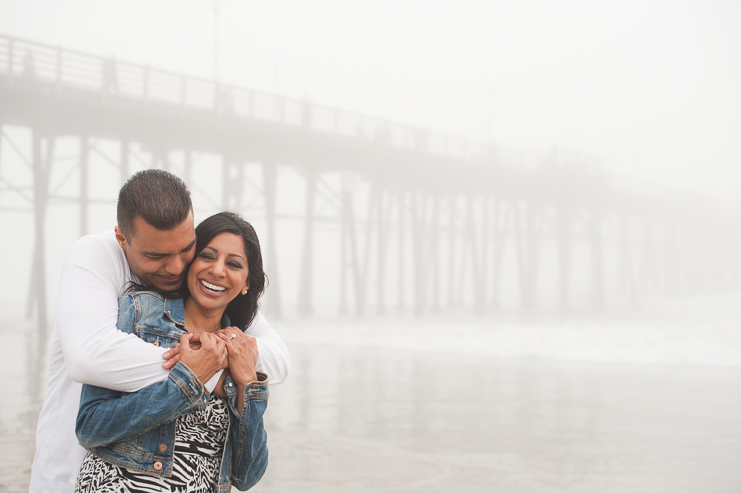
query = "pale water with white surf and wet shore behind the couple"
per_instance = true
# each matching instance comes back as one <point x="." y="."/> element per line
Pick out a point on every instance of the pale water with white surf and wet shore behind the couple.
<point x="619" y="402"/>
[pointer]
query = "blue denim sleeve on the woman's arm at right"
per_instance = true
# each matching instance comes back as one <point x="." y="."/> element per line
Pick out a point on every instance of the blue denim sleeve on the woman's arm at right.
<point x="250" y="449"/>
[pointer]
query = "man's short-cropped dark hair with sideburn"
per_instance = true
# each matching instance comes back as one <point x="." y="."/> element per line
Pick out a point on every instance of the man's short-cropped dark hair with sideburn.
<point x="157" y="196"/>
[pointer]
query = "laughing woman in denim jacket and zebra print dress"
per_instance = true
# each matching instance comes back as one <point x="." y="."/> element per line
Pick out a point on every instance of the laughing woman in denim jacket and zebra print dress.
<point x="173" y="435"/>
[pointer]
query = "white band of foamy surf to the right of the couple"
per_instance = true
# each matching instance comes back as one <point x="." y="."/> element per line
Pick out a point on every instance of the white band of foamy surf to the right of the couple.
<point x="697" y="331"/>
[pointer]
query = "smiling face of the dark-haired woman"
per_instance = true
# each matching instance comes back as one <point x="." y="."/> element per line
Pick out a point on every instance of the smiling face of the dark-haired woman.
<point x="219" y="273"/>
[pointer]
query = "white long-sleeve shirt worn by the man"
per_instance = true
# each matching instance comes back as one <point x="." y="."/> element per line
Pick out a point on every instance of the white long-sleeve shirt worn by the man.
<point x="87" y="348"/>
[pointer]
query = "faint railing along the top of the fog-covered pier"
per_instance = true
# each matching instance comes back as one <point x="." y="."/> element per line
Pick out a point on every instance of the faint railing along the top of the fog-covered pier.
<point x="23" y="61"/>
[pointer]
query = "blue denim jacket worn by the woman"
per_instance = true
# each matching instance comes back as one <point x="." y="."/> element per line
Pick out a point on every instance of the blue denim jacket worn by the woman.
<point x="137" y="430"/>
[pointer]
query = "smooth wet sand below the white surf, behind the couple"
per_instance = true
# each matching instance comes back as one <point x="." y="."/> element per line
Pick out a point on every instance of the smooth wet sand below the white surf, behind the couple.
<point x="367" y="419"/>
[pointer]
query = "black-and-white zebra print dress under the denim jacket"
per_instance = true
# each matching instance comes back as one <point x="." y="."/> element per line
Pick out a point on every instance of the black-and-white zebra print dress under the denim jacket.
<point x="199" y="445"/>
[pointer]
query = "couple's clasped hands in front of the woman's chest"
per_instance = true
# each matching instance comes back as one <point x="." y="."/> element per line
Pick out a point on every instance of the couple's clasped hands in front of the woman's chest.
<point x="206" y="353"/>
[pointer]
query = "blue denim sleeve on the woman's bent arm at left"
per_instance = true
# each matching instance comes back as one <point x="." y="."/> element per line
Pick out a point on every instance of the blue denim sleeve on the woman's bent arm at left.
<point x="107" y="416"/>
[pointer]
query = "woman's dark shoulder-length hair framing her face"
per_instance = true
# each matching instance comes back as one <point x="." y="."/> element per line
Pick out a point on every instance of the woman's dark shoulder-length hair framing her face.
<point x="242" y="309"/>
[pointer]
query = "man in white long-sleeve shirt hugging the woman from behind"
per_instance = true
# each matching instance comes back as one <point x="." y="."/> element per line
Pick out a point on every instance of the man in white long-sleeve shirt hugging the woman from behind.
<point x="152" y="245"/>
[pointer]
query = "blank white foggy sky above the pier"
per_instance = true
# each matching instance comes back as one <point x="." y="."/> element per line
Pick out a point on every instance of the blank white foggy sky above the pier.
<point x="651" y="87"/>
